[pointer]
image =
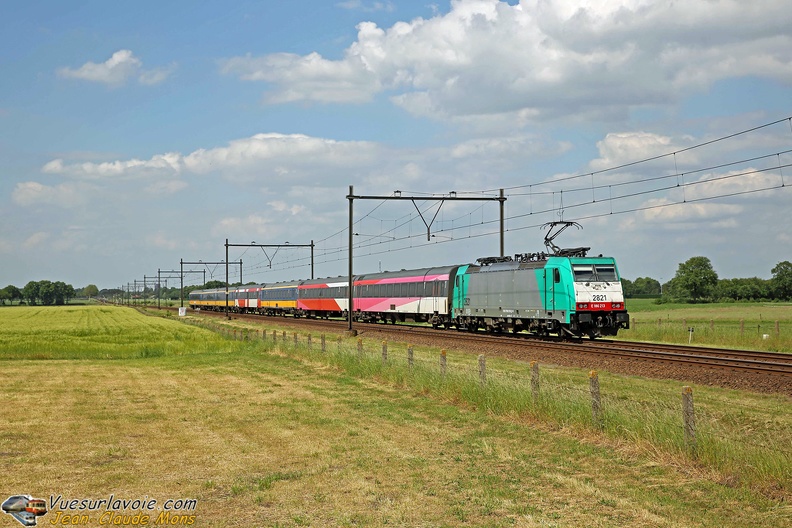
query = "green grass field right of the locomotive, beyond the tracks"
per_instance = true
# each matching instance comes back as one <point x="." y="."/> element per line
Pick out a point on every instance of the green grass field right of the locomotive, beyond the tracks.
<point x="754" y="326"/>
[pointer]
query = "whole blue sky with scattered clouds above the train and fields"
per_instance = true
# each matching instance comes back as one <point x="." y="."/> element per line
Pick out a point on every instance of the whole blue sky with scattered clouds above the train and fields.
<point x="136" y="135"/>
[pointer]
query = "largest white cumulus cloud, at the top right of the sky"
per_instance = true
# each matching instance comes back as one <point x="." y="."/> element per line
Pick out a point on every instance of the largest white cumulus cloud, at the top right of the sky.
<point x="539" y="59"/>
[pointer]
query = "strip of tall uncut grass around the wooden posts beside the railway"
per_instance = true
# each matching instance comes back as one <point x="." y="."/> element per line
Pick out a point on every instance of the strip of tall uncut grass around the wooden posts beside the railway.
<point x="645" y="412"/>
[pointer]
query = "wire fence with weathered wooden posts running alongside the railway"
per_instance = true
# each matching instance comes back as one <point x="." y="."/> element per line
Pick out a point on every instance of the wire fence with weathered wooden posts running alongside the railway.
<point x="748" y="439"/>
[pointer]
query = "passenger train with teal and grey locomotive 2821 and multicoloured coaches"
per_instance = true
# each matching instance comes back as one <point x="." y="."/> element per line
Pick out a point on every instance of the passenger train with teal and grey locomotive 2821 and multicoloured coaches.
<point x="564" y="293"/>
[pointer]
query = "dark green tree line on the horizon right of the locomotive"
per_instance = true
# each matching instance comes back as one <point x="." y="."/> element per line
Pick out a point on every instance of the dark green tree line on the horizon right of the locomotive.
<point x="697" y="281"/>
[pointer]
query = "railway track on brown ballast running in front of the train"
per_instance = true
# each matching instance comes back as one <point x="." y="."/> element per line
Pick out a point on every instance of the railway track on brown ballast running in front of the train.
<point x="732" y="368"/>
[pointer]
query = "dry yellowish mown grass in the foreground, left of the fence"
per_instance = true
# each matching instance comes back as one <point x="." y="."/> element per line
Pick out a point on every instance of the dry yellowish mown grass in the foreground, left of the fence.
<point x="263" y="439"/>
